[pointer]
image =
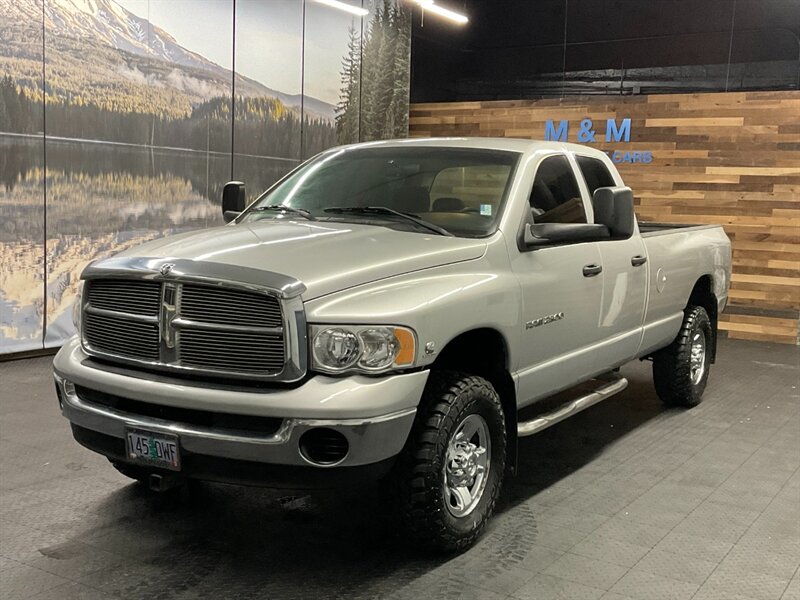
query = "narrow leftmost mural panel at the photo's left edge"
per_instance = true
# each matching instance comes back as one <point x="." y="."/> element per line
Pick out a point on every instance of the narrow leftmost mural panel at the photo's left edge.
<point x="21" y="177"/>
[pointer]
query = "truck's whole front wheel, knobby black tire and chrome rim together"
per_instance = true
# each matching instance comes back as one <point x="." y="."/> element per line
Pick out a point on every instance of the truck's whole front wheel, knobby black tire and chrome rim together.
<point x="450" y="472"/>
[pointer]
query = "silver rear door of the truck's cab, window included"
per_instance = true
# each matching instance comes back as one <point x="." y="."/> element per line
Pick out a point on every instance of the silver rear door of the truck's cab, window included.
<point x="624" y="280"/>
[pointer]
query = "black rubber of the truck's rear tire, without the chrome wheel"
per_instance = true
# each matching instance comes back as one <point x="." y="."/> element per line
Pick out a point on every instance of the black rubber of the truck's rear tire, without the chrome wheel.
<point x="672" y="373"/>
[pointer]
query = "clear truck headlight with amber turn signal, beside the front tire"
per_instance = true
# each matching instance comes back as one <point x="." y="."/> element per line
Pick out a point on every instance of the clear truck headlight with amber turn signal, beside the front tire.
<point x="366" y="348"/>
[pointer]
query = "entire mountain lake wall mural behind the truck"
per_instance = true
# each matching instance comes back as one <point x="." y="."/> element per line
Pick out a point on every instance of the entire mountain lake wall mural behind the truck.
<point x="120" y="121"/>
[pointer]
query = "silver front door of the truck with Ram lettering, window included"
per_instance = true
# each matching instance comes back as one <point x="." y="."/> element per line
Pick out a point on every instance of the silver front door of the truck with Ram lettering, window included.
<point x="561" y="298"/>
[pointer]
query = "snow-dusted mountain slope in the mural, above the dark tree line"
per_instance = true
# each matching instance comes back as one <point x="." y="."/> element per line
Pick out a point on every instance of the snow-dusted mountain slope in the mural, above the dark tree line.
<point x="103" y="53"/>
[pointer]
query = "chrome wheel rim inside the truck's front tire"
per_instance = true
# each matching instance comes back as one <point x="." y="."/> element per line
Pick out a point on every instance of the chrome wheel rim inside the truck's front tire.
<point x="467" y="463"/>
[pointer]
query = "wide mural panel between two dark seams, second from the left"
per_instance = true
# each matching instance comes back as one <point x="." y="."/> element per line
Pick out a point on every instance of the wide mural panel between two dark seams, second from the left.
<point x="138" y="124"/>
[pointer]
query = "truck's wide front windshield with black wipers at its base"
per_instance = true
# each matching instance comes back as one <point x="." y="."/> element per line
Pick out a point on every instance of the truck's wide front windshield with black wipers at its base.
<point x="458" y="191"/>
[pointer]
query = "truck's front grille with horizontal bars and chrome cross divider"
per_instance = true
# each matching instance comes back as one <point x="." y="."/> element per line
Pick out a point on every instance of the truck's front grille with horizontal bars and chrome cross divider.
<point x="185" y="326"/>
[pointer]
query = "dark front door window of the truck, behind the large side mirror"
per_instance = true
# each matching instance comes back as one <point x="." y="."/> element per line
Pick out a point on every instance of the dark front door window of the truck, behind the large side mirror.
<point x="555" y="197"/>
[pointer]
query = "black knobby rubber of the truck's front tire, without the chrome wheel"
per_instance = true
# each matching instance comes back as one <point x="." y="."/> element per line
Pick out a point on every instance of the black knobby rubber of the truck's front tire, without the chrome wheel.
<point x="418" y="481"/>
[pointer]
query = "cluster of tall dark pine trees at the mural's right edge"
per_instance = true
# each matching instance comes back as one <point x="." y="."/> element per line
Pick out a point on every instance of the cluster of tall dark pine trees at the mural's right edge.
<point x="375" y="78"/>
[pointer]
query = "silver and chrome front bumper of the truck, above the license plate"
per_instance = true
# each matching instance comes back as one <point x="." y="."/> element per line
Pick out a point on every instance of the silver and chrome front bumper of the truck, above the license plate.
<point x="387" y="407"/>
